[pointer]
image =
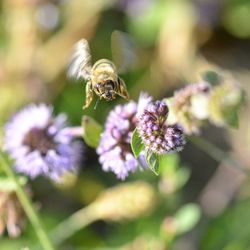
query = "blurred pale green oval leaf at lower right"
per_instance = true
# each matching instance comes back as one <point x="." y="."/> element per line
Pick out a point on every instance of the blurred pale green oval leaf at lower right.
<point x="187" y="217"/>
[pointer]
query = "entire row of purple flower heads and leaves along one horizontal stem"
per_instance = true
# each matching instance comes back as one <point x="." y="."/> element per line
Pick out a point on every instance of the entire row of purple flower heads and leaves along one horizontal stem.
<point x="135" y="134"/>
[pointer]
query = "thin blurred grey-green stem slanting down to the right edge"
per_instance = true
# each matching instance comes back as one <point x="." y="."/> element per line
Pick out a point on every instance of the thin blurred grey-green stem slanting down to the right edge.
<point x="216" y="153"/>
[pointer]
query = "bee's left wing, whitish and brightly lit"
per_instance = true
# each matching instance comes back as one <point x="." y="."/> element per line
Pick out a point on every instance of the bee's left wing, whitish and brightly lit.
<point x="80" y="62"/>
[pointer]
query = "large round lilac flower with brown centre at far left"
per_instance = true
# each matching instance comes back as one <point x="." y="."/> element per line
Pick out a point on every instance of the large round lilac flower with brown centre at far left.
<point x="39" y="143"/>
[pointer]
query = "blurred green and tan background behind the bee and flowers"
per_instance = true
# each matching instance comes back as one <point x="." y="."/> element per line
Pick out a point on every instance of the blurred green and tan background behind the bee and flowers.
<point x="177" y="41"/>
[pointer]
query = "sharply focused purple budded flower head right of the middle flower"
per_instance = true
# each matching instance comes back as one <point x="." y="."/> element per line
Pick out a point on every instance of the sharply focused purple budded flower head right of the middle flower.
<point x="156" y="135"/>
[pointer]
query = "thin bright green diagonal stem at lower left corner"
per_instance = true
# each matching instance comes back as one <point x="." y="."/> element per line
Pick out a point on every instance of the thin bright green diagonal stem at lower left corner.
<point x="27" y="205"/>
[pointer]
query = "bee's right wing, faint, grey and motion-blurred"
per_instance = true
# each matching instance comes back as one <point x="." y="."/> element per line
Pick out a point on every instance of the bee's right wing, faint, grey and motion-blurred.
<point x="123" y="51"/>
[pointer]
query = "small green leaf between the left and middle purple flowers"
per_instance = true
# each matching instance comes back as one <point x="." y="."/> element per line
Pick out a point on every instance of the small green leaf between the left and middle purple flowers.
<point x="91" y="131"/>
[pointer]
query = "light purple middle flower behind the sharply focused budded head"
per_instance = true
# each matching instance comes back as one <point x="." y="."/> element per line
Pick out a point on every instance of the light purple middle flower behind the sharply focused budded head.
<point x="114" y="150"/>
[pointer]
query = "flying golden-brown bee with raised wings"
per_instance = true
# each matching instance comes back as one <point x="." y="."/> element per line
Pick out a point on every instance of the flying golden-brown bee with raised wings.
<point x="102" y="78"/>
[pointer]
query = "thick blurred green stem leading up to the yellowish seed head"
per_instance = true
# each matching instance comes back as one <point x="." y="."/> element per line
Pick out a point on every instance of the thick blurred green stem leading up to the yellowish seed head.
<point x="74" y="223"/>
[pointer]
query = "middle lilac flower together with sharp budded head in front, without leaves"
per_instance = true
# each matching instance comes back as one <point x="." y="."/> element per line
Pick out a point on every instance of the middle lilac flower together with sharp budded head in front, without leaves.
<point x="114" y="150"/>
